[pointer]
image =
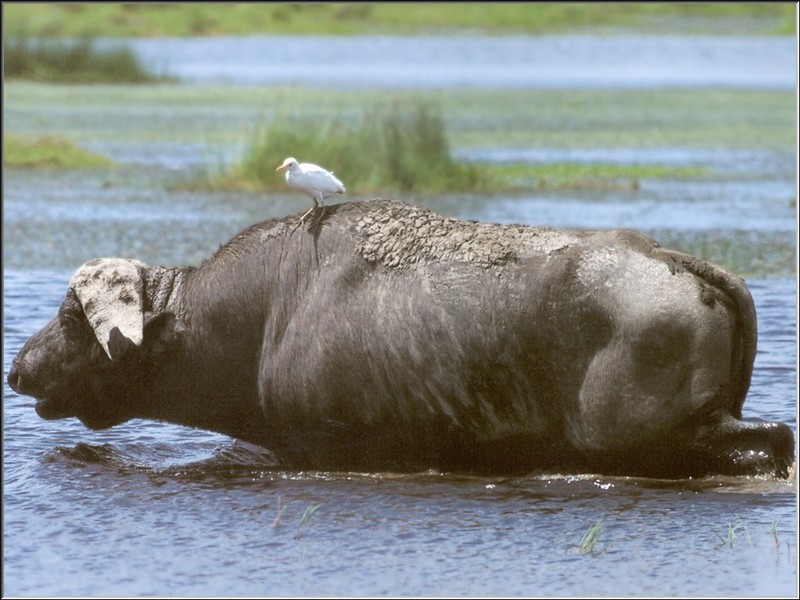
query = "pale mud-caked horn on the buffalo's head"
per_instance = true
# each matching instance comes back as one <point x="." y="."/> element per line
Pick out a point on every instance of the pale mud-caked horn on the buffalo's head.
<point x="110" y="292"/>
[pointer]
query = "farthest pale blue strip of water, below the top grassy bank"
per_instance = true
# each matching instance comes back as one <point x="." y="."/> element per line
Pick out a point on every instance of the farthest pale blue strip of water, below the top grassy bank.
<point x="475" y="61"/>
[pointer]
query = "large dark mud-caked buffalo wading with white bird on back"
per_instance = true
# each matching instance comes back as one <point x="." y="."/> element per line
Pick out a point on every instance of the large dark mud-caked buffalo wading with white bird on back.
<point x="382" y="336"/>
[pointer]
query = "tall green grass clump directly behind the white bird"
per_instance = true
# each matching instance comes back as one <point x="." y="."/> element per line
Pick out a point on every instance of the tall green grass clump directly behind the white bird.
<point x="387" y="149"/>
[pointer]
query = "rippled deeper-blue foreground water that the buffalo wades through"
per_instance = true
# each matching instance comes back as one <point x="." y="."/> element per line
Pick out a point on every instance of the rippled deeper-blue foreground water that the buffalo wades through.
<point x="148" y="508"/>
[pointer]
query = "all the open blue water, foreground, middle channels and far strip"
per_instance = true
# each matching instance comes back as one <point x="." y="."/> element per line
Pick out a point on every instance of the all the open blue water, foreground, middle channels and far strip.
<point x="154" y="509"/>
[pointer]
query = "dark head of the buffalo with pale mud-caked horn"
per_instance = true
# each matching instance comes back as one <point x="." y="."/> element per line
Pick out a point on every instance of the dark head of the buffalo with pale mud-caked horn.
<point x="92" y="360"/>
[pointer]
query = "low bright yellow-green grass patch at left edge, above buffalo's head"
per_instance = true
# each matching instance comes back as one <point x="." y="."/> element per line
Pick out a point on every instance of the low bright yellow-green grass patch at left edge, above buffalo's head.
<point x="49" y="152"/>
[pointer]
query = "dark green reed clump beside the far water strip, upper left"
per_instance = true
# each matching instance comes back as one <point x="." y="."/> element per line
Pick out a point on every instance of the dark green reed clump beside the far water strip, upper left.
<point x="76" y="61"/>
